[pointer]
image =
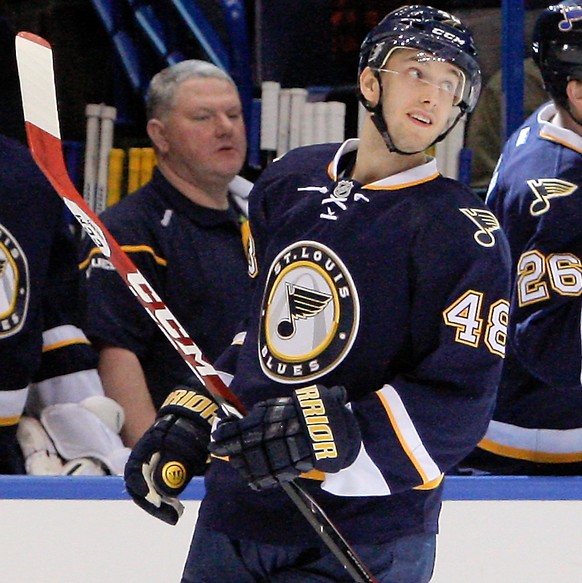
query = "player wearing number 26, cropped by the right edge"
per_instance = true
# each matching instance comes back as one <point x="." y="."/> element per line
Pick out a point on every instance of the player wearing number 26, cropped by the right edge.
<point x="535" y="192"/>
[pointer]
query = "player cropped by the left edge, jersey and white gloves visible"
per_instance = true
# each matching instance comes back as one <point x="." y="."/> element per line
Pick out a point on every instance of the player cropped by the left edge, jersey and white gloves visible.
<point x="48" y="366"/>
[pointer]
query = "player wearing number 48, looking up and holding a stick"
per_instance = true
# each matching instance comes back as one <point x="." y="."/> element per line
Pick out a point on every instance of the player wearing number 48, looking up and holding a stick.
<point x="371" y="356"/>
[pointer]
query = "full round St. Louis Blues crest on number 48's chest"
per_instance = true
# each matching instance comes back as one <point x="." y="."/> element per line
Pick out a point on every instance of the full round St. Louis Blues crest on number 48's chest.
<point x="310" y="314"/>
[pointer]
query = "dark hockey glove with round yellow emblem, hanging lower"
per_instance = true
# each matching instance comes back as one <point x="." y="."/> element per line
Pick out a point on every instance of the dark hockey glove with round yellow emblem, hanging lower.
<point x="171" y="451"/>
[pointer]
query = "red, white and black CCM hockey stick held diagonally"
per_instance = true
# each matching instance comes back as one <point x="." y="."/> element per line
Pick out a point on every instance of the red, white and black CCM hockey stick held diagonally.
<point x="35" y="69"/>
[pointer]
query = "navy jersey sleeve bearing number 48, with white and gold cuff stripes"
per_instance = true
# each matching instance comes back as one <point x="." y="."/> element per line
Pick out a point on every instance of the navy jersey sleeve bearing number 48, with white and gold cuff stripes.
<point x="435" y="407"/>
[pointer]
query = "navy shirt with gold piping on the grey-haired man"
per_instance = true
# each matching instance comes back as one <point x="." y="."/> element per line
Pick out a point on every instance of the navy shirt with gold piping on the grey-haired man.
<point x="192" y="256"/>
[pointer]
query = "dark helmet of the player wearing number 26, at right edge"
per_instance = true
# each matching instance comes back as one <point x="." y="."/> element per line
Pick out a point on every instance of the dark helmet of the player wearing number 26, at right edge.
<point x="557" y="48"/>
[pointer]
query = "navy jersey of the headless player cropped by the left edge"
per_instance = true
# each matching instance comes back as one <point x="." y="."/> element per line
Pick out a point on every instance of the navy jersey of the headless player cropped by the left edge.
<point x="40" y="338"/>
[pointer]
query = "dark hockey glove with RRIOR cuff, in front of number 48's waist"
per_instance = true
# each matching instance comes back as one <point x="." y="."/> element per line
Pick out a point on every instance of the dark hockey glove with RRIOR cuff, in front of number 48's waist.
<point x="282" y="438"/>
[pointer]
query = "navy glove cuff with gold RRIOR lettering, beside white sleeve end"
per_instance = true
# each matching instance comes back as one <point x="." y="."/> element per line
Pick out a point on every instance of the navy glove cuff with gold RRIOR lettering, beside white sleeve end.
<point x="321" y="409"/>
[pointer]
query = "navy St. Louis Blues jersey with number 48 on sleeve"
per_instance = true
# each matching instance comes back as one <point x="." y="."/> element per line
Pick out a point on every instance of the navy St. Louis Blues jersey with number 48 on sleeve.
<point x="397" y="290"/>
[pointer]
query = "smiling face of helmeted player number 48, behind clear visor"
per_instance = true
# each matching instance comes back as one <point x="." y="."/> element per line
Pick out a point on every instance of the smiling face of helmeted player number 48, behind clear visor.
<point x="419" y="95"/>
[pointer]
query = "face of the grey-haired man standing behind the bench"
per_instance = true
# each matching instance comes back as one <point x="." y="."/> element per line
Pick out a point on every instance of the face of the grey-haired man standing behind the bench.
<point x="205" y="133"/>
